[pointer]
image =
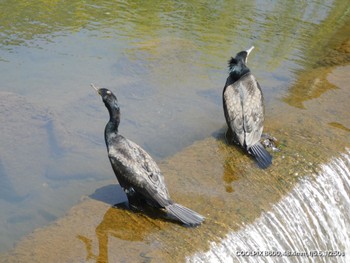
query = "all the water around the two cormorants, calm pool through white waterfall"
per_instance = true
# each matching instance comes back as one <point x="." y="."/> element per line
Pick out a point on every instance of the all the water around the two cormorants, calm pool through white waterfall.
<point x="166" y="62"/>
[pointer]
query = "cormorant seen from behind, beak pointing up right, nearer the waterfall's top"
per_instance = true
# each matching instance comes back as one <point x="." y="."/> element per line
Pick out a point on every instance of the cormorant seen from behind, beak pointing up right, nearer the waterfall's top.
<point x="244" y="109"/>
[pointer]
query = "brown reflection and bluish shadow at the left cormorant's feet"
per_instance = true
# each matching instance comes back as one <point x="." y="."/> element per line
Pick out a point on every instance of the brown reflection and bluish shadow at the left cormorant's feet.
<point x="119" y="222"/>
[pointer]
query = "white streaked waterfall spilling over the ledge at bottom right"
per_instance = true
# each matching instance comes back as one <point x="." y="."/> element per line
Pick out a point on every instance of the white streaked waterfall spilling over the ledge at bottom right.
<point x="309" y="224"/>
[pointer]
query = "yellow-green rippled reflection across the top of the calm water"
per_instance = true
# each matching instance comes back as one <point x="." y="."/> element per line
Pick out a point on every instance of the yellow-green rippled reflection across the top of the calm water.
<point x="278" y="27"/>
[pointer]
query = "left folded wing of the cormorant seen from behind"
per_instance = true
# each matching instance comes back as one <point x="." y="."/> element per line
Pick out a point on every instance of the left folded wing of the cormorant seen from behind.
<point x="233" y="111"/>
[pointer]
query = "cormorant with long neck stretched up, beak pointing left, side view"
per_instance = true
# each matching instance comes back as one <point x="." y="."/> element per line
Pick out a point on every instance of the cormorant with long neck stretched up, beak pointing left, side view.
<point x="136" y="171"/>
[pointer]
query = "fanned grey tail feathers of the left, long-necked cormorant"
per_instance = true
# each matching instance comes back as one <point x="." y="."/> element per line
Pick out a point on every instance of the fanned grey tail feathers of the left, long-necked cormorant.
<point x="185" y="215"/>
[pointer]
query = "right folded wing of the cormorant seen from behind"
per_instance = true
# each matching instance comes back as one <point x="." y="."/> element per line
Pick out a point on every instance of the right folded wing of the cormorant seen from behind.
<point x="253" y="109"/>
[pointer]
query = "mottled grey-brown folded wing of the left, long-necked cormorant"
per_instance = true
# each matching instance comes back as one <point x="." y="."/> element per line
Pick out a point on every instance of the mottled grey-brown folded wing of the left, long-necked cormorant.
<point x="136" y="167"/>
